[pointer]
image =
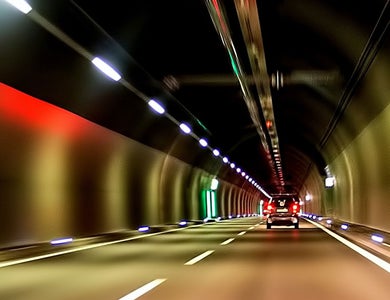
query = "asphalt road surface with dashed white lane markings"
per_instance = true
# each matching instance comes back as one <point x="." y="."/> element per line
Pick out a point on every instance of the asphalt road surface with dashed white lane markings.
<point x="236" y="259"/>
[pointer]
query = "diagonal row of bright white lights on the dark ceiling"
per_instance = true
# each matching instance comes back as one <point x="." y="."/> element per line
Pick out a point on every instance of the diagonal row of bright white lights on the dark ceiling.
<point x="24" y="7"/>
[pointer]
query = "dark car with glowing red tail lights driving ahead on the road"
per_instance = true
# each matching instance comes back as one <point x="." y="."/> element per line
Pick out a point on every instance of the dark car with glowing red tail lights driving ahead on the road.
<point x="283" y="210"/>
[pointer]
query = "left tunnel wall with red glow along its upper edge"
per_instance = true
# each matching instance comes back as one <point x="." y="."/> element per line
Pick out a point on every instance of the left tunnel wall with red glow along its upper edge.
<point x="62" y="175"/>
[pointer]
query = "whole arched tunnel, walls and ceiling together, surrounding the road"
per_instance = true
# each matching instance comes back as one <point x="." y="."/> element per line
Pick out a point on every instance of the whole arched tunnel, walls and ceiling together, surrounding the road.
<point x="119" y="116"/>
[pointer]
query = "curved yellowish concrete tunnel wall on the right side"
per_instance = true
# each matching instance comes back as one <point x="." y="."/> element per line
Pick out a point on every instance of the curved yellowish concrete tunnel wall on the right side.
<point x="358" y="155"/>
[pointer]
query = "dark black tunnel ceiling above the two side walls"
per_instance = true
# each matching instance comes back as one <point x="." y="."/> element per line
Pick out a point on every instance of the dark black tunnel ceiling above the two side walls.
<point x="175" y="51"/>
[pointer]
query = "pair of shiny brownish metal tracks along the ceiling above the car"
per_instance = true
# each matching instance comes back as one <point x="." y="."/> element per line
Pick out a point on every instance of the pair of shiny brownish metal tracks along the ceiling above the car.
<point x="247" y="13"/>
